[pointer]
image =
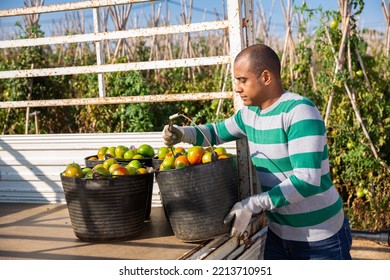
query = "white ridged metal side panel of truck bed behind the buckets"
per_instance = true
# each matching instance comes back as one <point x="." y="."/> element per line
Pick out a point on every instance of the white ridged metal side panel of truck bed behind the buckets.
<point x="30" y="165"/>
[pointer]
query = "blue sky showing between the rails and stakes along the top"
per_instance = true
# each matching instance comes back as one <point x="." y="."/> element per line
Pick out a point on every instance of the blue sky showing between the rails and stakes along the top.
<point x="372" y="16"/>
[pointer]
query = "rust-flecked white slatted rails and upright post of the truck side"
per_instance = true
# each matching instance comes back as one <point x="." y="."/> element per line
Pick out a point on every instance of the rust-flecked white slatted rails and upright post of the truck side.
<point x="239" y="25"/>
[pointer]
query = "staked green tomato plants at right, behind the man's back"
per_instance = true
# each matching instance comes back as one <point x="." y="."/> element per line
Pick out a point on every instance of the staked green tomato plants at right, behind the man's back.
<point x="362" y="179"/>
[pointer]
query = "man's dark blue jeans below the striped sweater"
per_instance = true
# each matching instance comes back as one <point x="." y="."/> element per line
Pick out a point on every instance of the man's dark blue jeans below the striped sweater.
<point x="336" y="247"/>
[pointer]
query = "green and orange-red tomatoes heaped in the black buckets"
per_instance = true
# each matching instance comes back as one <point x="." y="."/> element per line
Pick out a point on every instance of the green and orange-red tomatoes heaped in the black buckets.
<point x="117" y="161"/>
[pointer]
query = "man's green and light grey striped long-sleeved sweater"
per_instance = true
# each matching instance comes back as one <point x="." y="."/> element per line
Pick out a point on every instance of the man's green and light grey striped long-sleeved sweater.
<point x="287" y="143"/>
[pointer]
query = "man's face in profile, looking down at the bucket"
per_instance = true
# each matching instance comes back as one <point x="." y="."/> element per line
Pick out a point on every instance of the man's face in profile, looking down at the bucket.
<point x="248" y="84"/>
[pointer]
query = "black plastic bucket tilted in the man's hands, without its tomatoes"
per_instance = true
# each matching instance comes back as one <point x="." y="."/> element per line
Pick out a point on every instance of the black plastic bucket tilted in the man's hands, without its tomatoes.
<point x="197" y="198"/>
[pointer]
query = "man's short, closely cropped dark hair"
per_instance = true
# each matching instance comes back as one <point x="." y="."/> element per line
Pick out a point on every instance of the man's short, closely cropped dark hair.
<point x="261" y="57"/>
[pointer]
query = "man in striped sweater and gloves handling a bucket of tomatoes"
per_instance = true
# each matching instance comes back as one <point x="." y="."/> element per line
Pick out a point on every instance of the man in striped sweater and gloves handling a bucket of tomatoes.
<point x="287" y="143"/>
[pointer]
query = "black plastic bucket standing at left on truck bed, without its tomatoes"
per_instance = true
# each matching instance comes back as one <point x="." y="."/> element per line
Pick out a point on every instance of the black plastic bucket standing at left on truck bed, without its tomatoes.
<point x="110" y="209"/>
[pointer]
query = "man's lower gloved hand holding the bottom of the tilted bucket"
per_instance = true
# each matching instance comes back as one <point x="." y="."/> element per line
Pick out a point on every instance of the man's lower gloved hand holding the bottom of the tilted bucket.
<point x="241" y="217"/>
